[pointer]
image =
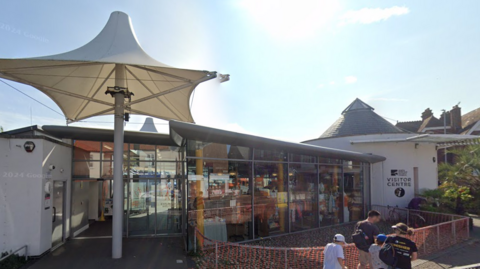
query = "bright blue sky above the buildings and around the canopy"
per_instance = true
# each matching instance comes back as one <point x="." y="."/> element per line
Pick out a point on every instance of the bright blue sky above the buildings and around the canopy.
<point x="294" y="65"/>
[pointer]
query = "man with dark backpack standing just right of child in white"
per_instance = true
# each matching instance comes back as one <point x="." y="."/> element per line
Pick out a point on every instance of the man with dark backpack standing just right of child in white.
<point x="364" y="236"/>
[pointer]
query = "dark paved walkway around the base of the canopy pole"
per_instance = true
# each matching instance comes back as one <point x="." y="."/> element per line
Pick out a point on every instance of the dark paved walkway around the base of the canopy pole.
<point x="164" y="252"/>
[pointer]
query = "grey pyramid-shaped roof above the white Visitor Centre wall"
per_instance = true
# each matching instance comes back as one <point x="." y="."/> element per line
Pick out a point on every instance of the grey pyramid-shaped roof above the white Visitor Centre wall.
<point x="359" y="119"/>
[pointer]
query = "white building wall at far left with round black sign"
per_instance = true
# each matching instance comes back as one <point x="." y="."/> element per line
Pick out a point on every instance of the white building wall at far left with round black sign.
<point x="23" y="217"/>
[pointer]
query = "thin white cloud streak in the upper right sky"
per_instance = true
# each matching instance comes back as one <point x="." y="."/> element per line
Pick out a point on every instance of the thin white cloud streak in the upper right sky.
<point x="371" y="15"/>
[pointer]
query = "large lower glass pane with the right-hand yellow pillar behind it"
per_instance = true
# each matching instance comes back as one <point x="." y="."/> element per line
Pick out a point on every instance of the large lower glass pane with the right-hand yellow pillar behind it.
<point x="271" y="212"/>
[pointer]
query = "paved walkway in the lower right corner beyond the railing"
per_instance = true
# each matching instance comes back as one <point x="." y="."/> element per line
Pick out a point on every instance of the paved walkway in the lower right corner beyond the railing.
<point x="463" y="254"/>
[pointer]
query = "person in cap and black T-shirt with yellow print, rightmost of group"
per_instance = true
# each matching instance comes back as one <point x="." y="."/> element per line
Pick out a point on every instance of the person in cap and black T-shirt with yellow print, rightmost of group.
<point x="404" y="250"/>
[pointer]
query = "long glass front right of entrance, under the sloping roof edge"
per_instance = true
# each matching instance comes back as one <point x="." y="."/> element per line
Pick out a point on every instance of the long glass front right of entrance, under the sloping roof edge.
<point x="237" y="193"/>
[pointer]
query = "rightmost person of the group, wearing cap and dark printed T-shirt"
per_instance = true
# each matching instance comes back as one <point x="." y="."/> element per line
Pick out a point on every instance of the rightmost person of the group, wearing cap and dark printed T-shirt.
<point x="405" y="249"/>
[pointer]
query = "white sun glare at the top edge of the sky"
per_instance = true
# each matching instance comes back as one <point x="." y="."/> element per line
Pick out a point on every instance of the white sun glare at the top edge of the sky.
<point x="291" y="19"/>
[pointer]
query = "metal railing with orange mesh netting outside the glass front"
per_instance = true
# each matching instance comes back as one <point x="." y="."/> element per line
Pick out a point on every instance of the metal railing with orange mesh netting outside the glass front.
<point x="440" y="231"/>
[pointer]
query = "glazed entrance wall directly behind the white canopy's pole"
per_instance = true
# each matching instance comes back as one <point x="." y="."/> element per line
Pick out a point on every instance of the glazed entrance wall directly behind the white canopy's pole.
<point x="152" y="182"/>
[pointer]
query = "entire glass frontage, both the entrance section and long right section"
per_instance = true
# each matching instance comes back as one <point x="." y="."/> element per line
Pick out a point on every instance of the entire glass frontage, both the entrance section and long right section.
<point x="232" y="193"/>
